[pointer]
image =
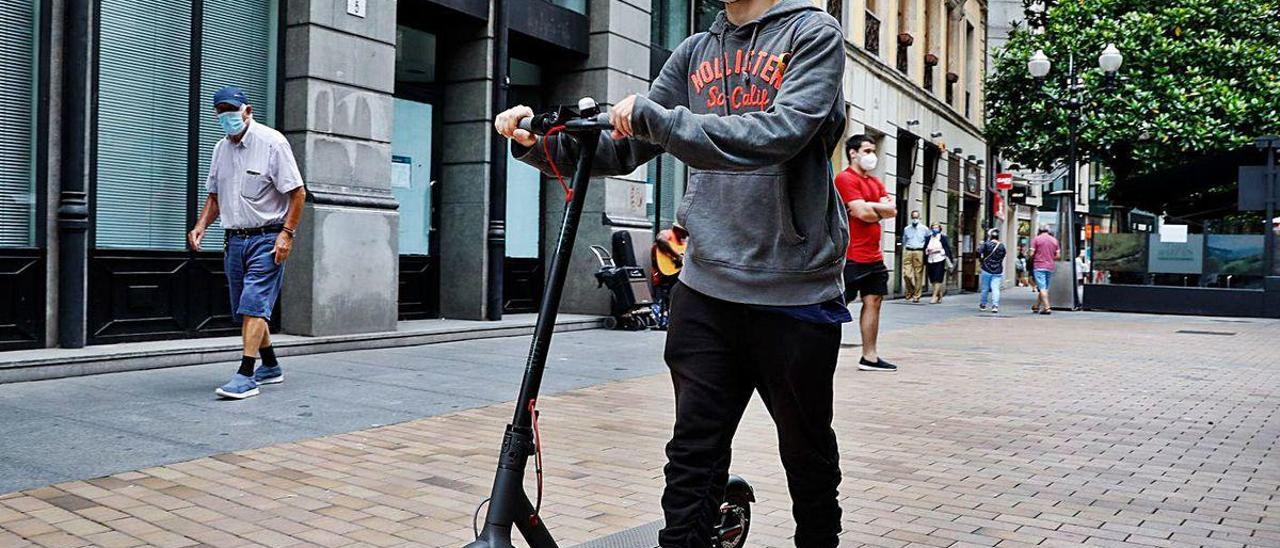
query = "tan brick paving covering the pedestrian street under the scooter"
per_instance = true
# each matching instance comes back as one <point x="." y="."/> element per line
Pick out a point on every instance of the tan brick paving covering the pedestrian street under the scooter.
<point x="1012" y="431"/>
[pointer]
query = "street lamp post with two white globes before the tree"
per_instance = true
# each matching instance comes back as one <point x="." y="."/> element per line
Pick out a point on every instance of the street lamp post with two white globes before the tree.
<point x="1039" y="66"/>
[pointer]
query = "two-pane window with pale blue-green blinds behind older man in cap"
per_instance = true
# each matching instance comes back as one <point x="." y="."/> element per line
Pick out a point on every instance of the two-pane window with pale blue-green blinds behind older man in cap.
<point x="147" y="190"/>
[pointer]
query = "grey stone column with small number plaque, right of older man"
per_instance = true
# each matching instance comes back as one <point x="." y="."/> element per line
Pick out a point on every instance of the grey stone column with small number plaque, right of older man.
<point x="340" y="75"/>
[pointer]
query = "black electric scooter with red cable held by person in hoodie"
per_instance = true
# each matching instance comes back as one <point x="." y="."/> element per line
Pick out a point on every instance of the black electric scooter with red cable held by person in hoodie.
<point x="509" y="504"/>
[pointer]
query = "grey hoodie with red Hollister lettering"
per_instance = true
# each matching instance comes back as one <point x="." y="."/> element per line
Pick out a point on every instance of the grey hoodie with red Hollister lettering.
<point x="756" y="113"/>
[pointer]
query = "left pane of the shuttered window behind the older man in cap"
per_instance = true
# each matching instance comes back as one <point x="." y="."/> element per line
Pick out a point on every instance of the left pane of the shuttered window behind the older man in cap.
<point x="143" y="108"/>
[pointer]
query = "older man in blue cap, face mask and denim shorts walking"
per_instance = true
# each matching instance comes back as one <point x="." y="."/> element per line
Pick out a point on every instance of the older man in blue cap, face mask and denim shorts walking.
<point x="254" y="184"/>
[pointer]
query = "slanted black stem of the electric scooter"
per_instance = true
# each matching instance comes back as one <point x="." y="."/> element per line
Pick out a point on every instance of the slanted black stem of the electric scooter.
<point x="509" y="505"/>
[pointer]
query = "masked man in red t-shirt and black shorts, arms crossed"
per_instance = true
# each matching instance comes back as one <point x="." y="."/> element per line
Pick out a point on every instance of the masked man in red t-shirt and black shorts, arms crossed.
<point x="868" y="204"/>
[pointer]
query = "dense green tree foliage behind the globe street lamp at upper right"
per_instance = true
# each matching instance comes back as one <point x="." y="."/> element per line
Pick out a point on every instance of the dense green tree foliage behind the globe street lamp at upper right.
<point x="1199" y="76"/>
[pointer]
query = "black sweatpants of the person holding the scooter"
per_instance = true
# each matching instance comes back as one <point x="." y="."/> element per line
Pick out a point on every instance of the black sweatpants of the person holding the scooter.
<point x="720" y="353"/>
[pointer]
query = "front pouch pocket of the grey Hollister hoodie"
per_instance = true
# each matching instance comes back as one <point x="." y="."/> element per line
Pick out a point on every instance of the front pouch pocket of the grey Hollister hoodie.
<point x="743" y="220"/>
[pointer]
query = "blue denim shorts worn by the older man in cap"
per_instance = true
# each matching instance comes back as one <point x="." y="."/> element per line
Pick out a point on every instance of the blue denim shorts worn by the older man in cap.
<point x="253" y="276"/>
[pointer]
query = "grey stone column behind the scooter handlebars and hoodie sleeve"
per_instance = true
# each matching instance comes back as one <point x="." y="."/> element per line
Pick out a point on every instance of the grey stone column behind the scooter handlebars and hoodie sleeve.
<point x="619" y="66"/>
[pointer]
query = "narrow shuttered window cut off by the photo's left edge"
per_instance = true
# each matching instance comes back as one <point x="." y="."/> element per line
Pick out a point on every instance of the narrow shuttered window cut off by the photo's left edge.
<point x="19" y="28"/>
